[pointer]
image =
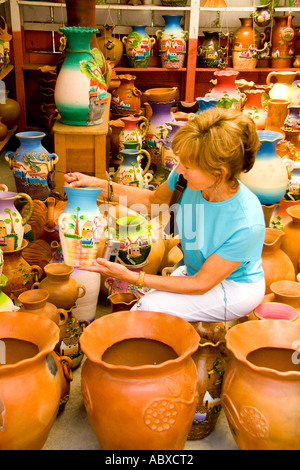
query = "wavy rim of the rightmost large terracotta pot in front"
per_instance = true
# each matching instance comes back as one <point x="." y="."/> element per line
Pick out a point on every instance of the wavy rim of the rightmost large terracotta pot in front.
<point x="278" y="331"/>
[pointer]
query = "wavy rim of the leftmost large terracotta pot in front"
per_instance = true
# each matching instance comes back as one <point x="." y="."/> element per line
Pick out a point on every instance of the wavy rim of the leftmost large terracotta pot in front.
<point x="45" y="347"/>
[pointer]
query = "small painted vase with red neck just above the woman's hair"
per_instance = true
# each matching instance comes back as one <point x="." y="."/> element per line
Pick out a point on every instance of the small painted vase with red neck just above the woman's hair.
<point x="226" y="91"/>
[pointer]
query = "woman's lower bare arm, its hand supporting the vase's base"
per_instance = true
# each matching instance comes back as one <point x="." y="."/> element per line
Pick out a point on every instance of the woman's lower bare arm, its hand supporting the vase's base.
<point x="213" y="271"/>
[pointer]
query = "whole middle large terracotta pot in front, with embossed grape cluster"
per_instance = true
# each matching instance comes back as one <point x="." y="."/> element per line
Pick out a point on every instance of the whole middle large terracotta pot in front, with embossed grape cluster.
<point x="156" y="396"/>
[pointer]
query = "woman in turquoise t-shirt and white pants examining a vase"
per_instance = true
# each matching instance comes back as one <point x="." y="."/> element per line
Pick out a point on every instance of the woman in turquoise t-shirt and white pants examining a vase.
<point x="220" y="223"/>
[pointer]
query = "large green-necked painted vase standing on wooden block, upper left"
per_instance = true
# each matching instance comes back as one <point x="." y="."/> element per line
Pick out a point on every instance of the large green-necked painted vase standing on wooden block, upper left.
<point x="81" y="91"/>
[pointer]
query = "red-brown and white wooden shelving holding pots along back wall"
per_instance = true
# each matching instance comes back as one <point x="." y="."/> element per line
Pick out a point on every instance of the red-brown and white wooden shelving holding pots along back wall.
<point x="190" y="78"/>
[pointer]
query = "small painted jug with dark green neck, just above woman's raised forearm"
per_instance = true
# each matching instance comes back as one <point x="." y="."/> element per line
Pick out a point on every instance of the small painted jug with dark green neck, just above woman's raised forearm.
<point x="130" y="172"/>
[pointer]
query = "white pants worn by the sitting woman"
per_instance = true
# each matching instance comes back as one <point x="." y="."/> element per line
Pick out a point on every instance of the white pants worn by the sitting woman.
<point x="228" y="301"/>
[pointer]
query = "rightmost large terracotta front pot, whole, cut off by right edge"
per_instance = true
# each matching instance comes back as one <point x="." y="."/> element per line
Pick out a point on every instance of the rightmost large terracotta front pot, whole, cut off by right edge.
<point x="264" y="361"/>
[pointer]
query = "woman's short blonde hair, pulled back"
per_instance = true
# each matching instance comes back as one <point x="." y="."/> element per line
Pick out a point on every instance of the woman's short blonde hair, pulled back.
<point x="218" y="138"/>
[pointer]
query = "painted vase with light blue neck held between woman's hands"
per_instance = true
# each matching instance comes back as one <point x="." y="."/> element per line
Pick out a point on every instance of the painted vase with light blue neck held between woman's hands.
<point x="81" y="226"/>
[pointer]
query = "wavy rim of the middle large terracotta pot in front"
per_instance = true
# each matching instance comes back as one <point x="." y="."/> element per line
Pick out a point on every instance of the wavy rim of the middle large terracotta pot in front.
<point x="94" y="333"/>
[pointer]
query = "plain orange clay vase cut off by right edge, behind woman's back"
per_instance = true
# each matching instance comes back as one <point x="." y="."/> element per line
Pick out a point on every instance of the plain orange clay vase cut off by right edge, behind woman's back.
<point x="291" y="242"/>
